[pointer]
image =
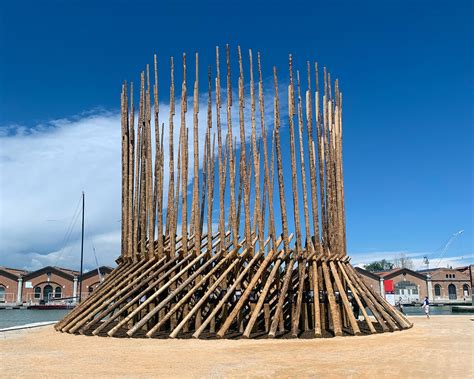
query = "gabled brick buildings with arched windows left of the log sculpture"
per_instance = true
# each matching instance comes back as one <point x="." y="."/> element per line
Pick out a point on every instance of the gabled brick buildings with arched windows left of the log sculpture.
<point x="47" y="284"/>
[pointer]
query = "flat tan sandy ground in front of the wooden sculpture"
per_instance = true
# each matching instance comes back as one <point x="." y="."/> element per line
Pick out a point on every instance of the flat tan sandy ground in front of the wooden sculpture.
<point x="440" y="347"/>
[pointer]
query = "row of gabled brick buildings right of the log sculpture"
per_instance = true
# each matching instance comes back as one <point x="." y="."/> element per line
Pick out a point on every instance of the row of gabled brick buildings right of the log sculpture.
<point x="441" y="285"/>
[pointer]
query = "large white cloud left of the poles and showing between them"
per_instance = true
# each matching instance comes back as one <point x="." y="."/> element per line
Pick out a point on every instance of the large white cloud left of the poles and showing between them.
<point x="44" y="169"/>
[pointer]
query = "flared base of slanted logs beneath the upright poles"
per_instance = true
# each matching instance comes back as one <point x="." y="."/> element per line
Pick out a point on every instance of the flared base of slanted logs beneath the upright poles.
<point x="140" y="299"/>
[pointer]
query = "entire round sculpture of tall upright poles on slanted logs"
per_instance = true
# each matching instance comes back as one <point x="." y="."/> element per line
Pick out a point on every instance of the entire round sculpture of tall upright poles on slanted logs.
<point x="236" y="272"/>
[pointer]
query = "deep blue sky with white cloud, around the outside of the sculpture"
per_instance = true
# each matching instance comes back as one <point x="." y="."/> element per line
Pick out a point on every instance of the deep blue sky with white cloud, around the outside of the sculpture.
<point x="406" y="71"/>
